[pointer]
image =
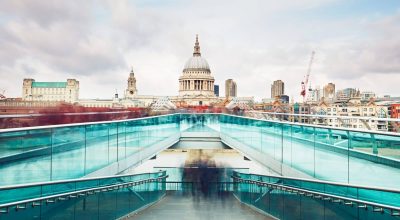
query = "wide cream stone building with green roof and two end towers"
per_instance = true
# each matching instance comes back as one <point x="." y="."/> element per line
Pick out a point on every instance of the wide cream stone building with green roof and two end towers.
<point x="51" y="91"/>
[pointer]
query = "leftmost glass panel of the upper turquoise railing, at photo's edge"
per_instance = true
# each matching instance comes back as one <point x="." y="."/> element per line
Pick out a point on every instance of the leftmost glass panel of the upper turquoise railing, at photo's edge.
<point x="25" y="156"/>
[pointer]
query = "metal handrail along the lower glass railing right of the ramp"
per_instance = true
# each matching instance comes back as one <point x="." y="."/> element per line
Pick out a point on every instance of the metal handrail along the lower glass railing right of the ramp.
<point x="323" y="196"/>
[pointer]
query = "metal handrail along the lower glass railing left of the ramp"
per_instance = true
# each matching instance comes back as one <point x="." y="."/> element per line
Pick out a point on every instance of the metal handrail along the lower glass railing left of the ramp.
<point x="75" y="194"/>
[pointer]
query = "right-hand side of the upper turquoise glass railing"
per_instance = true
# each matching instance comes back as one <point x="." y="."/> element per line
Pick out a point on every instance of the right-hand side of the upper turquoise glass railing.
<point x="343" y="155"/>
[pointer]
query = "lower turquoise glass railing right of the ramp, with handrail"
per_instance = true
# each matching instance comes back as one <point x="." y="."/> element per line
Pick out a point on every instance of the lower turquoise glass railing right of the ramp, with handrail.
<point x="290" y="198"/>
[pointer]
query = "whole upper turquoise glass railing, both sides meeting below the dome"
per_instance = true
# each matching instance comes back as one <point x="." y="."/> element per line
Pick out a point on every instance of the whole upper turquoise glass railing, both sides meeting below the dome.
<point x="77" y="150"/>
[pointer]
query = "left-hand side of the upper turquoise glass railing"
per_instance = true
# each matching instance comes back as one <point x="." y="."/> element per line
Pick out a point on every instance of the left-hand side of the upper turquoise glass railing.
<point x="71" y="151"/>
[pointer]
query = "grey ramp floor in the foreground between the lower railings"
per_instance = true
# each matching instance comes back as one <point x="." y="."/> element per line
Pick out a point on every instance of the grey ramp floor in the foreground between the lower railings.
<point x="195" y="207"/>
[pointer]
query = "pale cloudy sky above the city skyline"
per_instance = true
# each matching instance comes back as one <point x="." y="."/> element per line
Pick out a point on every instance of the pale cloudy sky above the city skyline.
<point x="254" y="42"/>
